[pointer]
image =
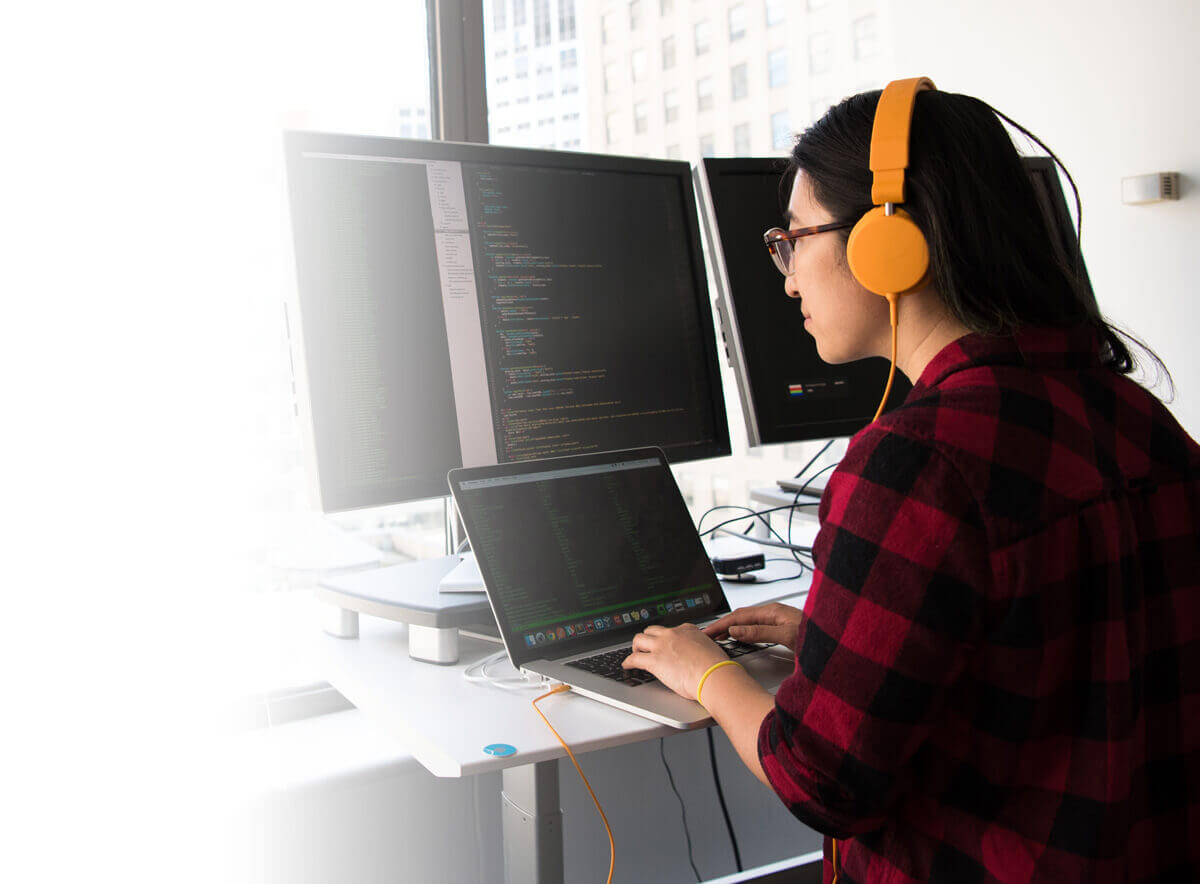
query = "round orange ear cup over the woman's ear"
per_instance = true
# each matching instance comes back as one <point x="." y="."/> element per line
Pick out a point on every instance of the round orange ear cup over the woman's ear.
<point x="889" y="254"/>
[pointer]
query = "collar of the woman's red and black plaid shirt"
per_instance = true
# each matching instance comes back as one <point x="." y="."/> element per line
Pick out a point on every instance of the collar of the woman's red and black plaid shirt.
<point x="1037" y="348"/>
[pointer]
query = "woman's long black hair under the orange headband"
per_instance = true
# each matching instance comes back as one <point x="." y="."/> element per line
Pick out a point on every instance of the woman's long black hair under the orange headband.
<point x="994" y="262"/>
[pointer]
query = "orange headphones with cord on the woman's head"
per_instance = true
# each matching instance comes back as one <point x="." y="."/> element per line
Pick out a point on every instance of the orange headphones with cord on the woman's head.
<point x="887" y="252"/>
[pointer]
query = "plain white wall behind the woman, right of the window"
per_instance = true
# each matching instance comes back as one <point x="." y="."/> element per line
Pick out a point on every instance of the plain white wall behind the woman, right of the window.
<point x="1112" y="86"/>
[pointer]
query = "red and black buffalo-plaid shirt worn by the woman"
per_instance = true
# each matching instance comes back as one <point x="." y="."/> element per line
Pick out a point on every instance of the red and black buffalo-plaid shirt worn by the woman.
<point x="998" y="673"/>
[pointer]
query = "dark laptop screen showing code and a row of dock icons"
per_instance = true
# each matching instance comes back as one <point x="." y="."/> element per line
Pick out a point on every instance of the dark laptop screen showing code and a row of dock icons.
<point x="573" y="552"/>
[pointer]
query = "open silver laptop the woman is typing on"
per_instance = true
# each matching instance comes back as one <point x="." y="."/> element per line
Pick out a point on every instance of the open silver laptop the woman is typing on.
<point x="581" y="554"/>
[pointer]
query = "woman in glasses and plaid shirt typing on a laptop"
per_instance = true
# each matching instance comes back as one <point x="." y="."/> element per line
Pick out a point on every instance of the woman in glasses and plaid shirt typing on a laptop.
<point x="998" y="667"/>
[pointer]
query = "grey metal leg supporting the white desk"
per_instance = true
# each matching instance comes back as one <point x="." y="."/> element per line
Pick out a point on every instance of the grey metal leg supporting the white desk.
<point x="533" y="825"/>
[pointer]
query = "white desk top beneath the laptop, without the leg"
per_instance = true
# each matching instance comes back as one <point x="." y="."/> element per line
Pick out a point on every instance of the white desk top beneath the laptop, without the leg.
<point x="446" y="721"/>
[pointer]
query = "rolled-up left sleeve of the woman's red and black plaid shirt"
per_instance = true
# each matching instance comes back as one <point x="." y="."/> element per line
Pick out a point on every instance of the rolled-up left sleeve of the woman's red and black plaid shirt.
<point x="902" y="572"/>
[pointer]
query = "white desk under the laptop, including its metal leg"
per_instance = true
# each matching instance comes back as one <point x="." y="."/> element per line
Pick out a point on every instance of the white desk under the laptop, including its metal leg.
<point x="446" y="721"/>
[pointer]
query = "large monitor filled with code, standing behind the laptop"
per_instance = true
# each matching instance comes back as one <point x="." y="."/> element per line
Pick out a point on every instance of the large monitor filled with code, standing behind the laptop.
<point x="469" y="305"/>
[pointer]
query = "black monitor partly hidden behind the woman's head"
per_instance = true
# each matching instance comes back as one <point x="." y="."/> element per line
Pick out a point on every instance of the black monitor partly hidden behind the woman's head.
<point x="788" y="393"/>
